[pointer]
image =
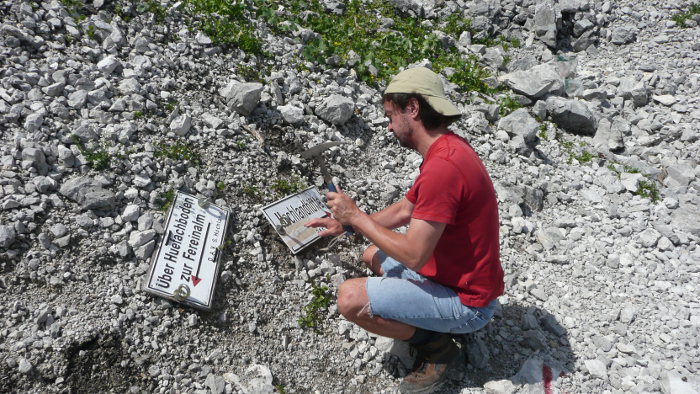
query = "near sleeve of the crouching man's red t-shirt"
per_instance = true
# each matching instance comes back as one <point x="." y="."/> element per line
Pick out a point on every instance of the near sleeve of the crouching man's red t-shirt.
<point x="437" y="192"/>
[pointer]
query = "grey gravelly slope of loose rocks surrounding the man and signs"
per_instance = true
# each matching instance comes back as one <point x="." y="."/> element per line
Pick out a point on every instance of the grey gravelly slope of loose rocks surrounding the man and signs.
<point x="596" y="175"/>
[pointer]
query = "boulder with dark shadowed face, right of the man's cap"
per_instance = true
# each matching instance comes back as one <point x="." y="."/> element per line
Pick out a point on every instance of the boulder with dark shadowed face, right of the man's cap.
<point x="572" y="115"/>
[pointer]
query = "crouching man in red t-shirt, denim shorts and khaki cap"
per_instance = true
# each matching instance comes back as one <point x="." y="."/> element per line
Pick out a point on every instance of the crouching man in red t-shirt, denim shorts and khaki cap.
<point x="444" y="274"/>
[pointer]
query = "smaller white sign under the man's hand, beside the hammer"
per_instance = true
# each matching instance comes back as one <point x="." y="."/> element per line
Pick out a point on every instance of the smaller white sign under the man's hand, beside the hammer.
<point x="289" y="214"/>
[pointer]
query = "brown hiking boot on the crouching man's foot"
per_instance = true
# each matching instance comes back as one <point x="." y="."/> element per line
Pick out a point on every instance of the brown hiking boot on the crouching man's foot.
<point x="435" y="359"/>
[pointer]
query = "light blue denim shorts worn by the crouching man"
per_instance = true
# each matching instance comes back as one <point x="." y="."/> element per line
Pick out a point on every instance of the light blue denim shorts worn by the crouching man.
<point x="405" y="295"/>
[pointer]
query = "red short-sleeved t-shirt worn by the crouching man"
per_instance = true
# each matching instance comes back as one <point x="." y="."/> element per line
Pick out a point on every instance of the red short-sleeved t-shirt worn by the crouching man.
<point x="454" y="188"/>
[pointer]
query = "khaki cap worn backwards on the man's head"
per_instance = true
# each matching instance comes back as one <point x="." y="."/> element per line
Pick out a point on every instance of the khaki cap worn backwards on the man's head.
<point x="425" y="82"/>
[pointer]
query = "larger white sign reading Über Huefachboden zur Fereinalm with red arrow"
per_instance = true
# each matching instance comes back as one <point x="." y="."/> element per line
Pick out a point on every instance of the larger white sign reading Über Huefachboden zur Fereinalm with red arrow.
<point x="186" y="265"/>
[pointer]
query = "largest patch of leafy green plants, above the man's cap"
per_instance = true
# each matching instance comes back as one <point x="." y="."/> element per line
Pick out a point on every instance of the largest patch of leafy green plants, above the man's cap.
<point x="377" y="51"/>
